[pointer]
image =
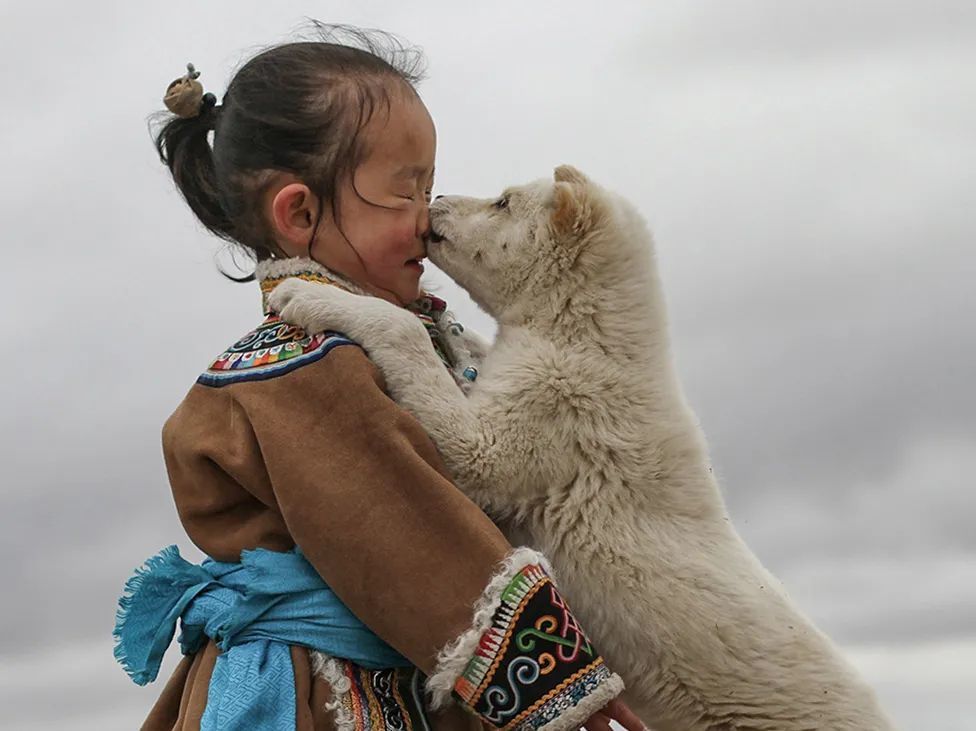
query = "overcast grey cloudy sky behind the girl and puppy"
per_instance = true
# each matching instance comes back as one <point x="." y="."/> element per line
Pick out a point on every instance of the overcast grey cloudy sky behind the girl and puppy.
<point x="808" y="170"/>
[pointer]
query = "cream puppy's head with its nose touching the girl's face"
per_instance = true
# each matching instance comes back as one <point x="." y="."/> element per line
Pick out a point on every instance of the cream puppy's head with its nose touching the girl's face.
<point x="508" y="250"/>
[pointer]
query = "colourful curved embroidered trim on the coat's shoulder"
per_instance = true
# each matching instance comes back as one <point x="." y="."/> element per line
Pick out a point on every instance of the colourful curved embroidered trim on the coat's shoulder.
<point x="273" y="349"/>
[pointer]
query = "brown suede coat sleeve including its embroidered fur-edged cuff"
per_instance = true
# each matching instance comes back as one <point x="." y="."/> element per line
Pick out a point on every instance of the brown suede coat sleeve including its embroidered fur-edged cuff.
<point x="365" y="495"/>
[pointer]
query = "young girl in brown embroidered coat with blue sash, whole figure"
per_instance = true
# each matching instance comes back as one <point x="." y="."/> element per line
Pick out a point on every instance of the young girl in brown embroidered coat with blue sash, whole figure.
<point x="348" y="584"/>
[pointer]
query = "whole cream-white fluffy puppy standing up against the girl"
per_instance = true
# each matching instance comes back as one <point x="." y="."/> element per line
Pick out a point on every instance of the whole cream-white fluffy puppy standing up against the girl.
<point x="578" y="440"/>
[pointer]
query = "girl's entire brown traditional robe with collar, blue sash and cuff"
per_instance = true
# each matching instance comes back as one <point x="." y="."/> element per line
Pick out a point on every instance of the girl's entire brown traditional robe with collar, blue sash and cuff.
<point x="291" y="463"/>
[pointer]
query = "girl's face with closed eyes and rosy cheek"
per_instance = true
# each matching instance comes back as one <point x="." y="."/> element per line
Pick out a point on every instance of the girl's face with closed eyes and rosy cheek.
<point x="379" y="241"/>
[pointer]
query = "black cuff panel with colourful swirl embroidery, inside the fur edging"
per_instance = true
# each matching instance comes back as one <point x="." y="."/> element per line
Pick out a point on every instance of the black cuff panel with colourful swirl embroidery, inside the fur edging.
<point x="534" y="662"/>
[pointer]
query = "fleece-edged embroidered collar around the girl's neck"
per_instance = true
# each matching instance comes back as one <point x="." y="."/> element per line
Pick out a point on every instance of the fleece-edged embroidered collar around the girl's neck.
<point x="444" y="330"/>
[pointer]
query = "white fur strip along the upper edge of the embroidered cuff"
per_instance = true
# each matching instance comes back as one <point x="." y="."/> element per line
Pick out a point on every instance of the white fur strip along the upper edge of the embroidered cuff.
<point x="454" y="658"/>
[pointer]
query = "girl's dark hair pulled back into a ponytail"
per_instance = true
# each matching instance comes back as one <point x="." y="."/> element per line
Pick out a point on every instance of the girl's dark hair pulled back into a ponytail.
<point x="298" y="107"/>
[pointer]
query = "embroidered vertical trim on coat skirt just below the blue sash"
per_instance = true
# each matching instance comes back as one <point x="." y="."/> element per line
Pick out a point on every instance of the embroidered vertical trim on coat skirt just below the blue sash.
<point x="390" y="699"/>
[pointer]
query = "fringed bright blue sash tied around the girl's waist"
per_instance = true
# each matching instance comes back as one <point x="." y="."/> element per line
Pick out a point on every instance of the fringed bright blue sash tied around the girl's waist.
<point x="253" y="610"/>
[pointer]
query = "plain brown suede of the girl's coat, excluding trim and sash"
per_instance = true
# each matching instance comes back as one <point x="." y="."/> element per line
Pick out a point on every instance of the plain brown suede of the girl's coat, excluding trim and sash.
<point x="321" y="457"/>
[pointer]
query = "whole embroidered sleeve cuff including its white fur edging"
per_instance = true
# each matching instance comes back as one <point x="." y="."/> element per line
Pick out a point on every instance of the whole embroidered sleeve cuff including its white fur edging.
<point x="526" y="664"/>
